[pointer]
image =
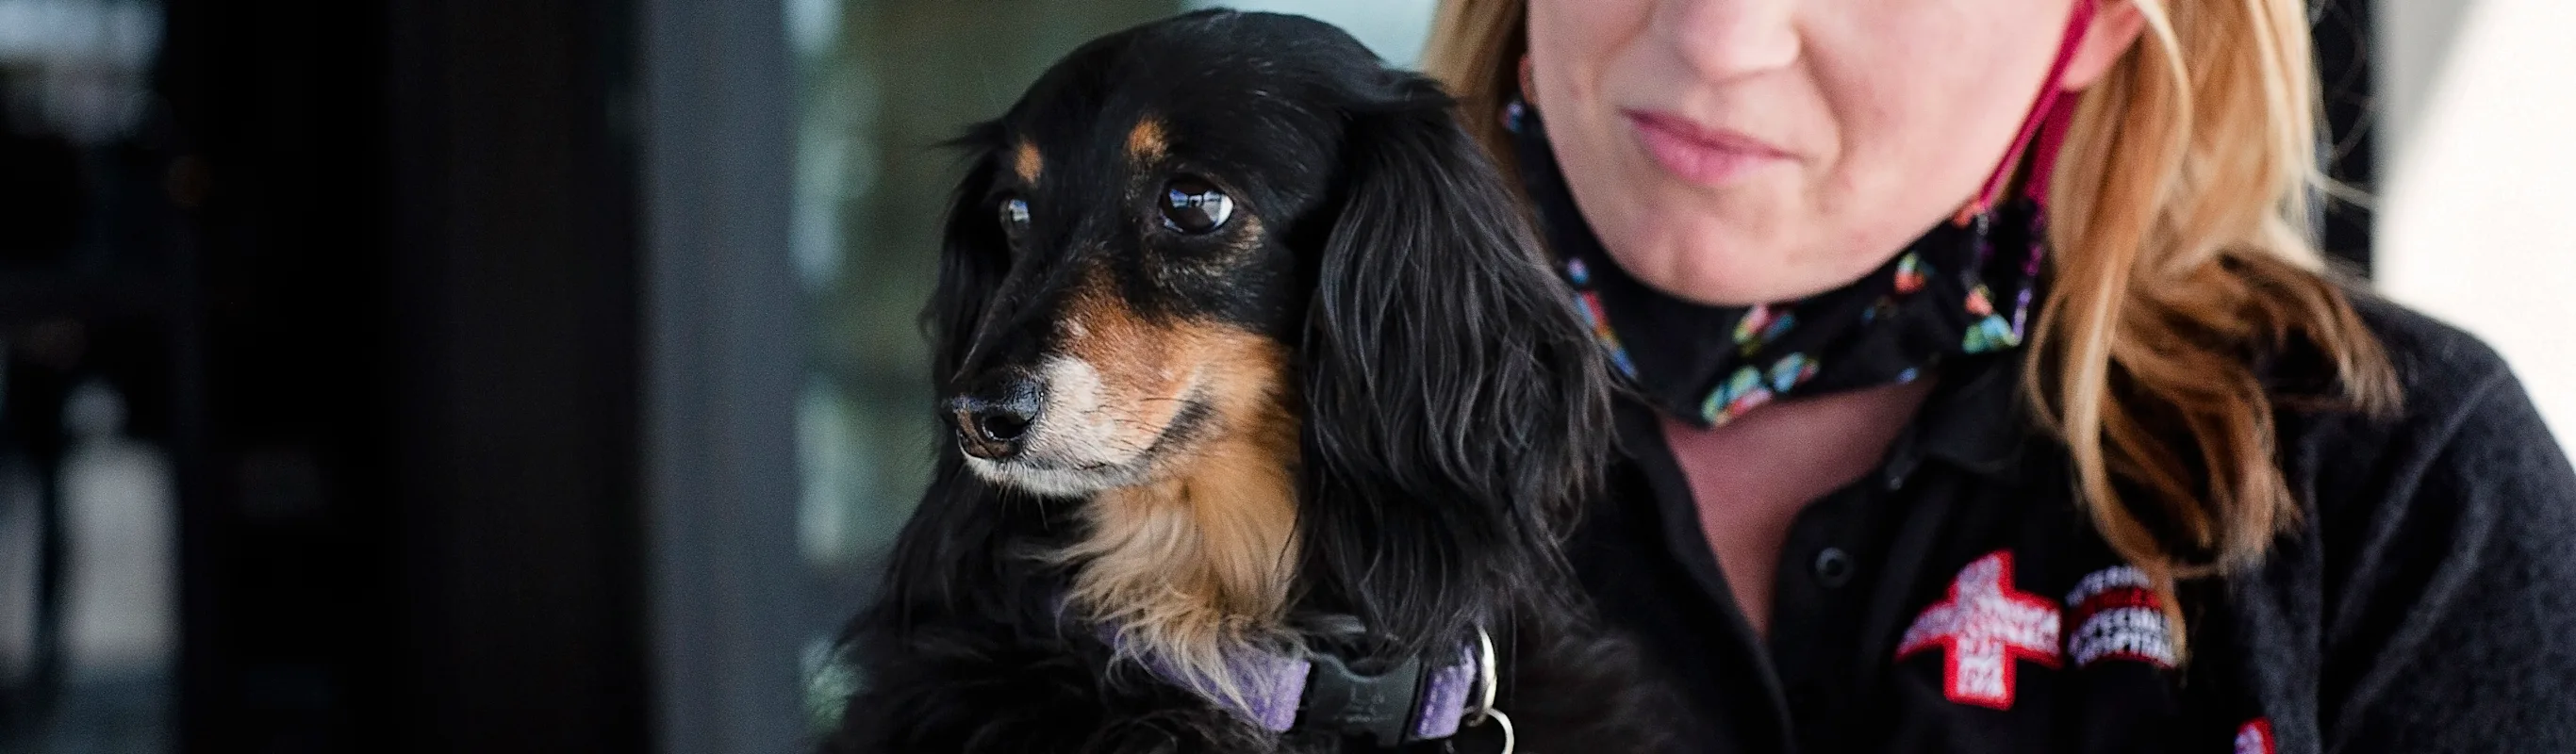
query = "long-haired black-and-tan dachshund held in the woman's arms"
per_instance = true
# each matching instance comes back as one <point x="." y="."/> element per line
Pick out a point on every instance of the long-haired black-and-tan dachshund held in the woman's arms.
<point x="1269" y="418"/>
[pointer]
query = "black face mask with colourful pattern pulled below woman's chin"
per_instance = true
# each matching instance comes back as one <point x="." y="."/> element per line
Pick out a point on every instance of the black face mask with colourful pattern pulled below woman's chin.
<point x="1946" y="295"/>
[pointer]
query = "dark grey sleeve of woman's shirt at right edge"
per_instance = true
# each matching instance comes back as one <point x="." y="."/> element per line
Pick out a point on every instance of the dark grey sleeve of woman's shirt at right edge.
<point x="2454" y="619"/>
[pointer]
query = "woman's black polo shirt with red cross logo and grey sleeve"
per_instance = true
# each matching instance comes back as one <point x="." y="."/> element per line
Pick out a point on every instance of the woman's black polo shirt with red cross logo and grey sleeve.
<point x="1959" y="601"/>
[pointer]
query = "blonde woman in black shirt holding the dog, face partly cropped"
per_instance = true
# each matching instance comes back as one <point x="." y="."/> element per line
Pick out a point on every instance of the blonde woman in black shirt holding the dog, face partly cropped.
<point x="1987" y="395"/>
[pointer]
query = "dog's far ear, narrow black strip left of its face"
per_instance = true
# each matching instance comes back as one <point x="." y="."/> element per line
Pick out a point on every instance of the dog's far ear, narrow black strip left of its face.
<point x="975" y="256"/>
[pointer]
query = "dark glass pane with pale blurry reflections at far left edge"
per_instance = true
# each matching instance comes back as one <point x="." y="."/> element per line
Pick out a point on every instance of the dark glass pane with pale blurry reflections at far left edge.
<point x="89" y="503"/>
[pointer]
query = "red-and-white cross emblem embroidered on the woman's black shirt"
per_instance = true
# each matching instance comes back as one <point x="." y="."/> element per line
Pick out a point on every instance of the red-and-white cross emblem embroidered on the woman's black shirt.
<point x="1985" y="627"/>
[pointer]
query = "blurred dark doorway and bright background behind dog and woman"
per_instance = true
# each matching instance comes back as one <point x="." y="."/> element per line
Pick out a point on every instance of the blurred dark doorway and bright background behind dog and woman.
<point x="542" y="377"/>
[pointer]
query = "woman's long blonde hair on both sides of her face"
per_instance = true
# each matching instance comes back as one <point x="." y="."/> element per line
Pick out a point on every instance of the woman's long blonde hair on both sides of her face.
<point x="2181" y="259"/>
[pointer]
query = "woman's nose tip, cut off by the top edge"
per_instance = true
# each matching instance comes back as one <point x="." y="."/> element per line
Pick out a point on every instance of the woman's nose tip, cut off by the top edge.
<point x="1722" y="40"/>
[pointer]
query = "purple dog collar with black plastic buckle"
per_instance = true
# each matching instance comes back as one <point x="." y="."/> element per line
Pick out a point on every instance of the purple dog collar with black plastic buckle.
<point x="1320" y="691"/>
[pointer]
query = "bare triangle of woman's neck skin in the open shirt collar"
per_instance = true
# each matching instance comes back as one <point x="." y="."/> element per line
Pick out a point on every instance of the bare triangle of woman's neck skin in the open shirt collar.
<point x="1750" y="477"/>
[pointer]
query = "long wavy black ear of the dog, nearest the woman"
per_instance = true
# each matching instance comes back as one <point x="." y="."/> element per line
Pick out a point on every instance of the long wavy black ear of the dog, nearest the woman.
<point x="1457" y="408"/>
